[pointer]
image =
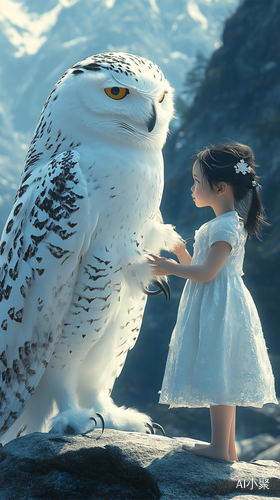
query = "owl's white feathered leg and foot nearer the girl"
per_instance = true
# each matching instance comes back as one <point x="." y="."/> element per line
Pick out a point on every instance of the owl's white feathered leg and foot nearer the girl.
<point x="105" y="361"/>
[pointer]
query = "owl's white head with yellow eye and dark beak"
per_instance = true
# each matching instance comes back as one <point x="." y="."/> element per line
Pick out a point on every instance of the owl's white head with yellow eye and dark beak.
<point x="114" y="97"/>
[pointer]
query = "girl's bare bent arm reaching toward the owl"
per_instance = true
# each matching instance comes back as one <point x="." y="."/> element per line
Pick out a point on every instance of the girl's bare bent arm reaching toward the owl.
<point x="215" y="259"/>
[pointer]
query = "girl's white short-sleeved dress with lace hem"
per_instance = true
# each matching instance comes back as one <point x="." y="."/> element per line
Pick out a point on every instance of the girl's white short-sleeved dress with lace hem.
<point x="217" y="353"/>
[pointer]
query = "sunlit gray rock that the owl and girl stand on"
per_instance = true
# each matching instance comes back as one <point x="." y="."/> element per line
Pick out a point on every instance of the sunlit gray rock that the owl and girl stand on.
<point x="125" y="466"/>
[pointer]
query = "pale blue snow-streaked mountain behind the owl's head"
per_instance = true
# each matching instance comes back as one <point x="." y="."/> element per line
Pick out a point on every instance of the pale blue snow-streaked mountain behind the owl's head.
<point x="40" y="40"/>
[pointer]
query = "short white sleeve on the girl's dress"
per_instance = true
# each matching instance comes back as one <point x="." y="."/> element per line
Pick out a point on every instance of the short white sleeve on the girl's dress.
<point x="225" y="229"/>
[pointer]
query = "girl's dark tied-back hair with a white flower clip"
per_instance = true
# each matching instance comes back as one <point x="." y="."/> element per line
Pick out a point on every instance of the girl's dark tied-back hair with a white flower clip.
<point x="217" y="165"/>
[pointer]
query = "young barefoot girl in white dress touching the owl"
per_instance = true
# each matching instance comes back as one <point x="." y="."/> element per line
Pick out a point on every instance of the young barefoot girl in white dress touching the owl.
<point x="217" y="356"/>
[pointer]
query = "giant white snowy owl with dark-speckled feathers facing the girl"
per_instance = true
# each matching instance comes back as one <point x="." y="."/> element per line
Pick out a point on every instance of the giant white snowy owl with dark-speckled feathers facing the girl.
<point x="73" y="265"/>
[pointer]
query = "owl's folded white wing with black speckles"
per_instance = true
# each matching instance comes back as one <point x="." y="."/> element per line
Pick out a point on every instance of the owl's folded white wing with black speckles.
<point x="46" y="234"/>
